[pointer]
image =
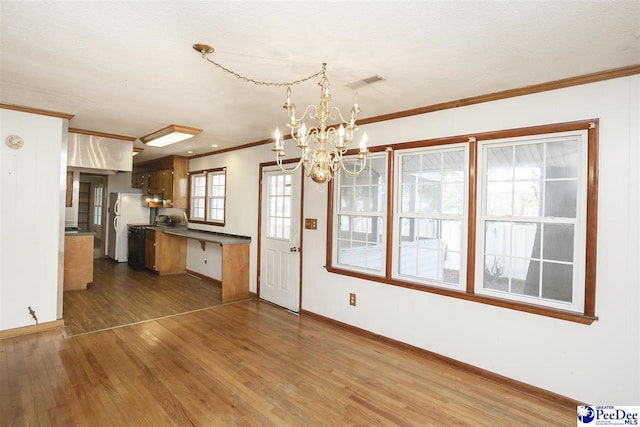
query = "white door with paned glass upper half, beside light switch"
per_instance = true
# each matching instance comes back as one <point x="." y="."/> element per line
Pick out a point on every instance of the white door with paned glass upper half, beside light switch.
<point x="280" y="238"/>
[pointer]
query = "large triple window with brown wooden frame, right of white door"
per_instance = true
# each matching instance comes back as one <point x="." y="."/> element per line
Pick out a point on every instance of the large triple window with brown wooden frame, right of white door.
<point x="506" y="218"/>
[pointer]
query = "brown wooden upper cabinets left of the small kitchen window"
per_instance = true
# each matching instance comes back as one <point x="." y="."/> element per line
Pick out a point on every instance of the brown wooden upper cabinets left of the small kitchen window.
<point x="167" y="176"/>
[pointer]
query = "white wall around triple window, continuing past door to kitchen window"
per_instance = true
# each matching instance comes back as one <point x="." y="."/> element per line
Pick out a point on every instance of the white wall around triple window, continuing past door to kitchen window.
<point x="596" y="363"/>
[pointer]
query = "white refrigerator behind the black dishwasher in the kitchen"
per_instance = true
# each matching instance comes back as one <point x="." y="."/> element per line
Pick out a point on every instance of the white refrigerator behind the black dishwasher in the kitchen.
<point x="124" y="209"/>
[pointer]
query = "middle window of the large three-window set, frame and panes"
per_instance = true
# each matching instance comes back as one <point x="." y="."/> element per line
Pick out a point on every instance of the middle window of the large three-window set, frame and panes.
<point x="430" y="227"/>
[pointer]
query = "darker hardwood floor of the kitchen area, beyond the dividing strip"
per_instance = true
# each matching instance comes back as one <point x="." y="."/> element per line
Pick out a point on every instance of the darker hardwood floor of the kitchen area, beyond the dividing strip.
<point x="120" y="295"/>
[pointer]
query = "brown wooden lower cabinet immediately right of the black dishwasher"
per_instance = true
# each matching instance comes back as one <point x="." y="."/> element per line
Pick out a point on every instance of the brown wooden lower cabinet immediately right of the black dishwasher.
<point x="164" y="253"/>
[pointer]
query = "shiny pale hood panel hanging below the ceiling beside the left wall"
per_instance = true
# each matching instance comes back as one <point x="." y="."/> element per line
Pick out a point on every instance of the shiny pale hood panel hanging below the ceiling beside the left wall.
<point x="99" y="152"/>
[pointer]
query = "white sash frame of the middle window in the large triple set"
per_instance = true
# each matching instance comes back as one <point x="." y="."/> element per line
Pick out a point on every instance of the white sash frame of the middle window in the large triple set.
<point x="464" y="218"/>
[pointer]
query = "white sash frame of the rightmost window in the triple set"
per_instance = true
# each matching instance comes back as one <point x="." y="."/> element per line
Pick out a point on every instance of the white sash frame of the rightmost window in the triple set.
<point x="579" y="260"/>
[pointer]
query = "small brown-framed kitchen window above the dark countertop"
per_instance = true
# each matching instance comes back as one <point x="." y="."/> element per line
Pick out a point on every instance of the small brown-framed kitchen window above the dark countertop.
<point x="208" y="194"/>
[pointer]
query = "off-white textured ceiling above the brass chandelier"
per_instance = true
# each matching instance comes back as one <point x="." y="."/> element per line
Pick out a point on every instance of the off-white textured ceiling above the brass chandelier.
<point x="128" y="68"/>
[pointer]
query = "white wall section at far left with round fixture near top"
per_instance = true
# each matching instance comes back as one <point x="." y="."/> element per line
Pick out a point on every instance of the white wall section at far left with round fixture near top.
<point x="31" y="217"/>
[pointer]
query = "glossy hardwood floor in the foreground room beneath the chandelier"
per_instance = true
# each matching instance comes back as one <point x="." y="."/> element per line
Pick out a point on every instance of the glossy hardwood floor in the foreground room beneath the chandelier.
<point x="246" y="363"/>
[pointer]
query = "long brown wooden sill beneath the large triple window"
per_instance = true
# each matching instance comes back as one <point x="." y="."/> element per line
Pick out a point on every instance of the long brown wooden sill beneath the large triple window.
<point x="498" y="302"/>
